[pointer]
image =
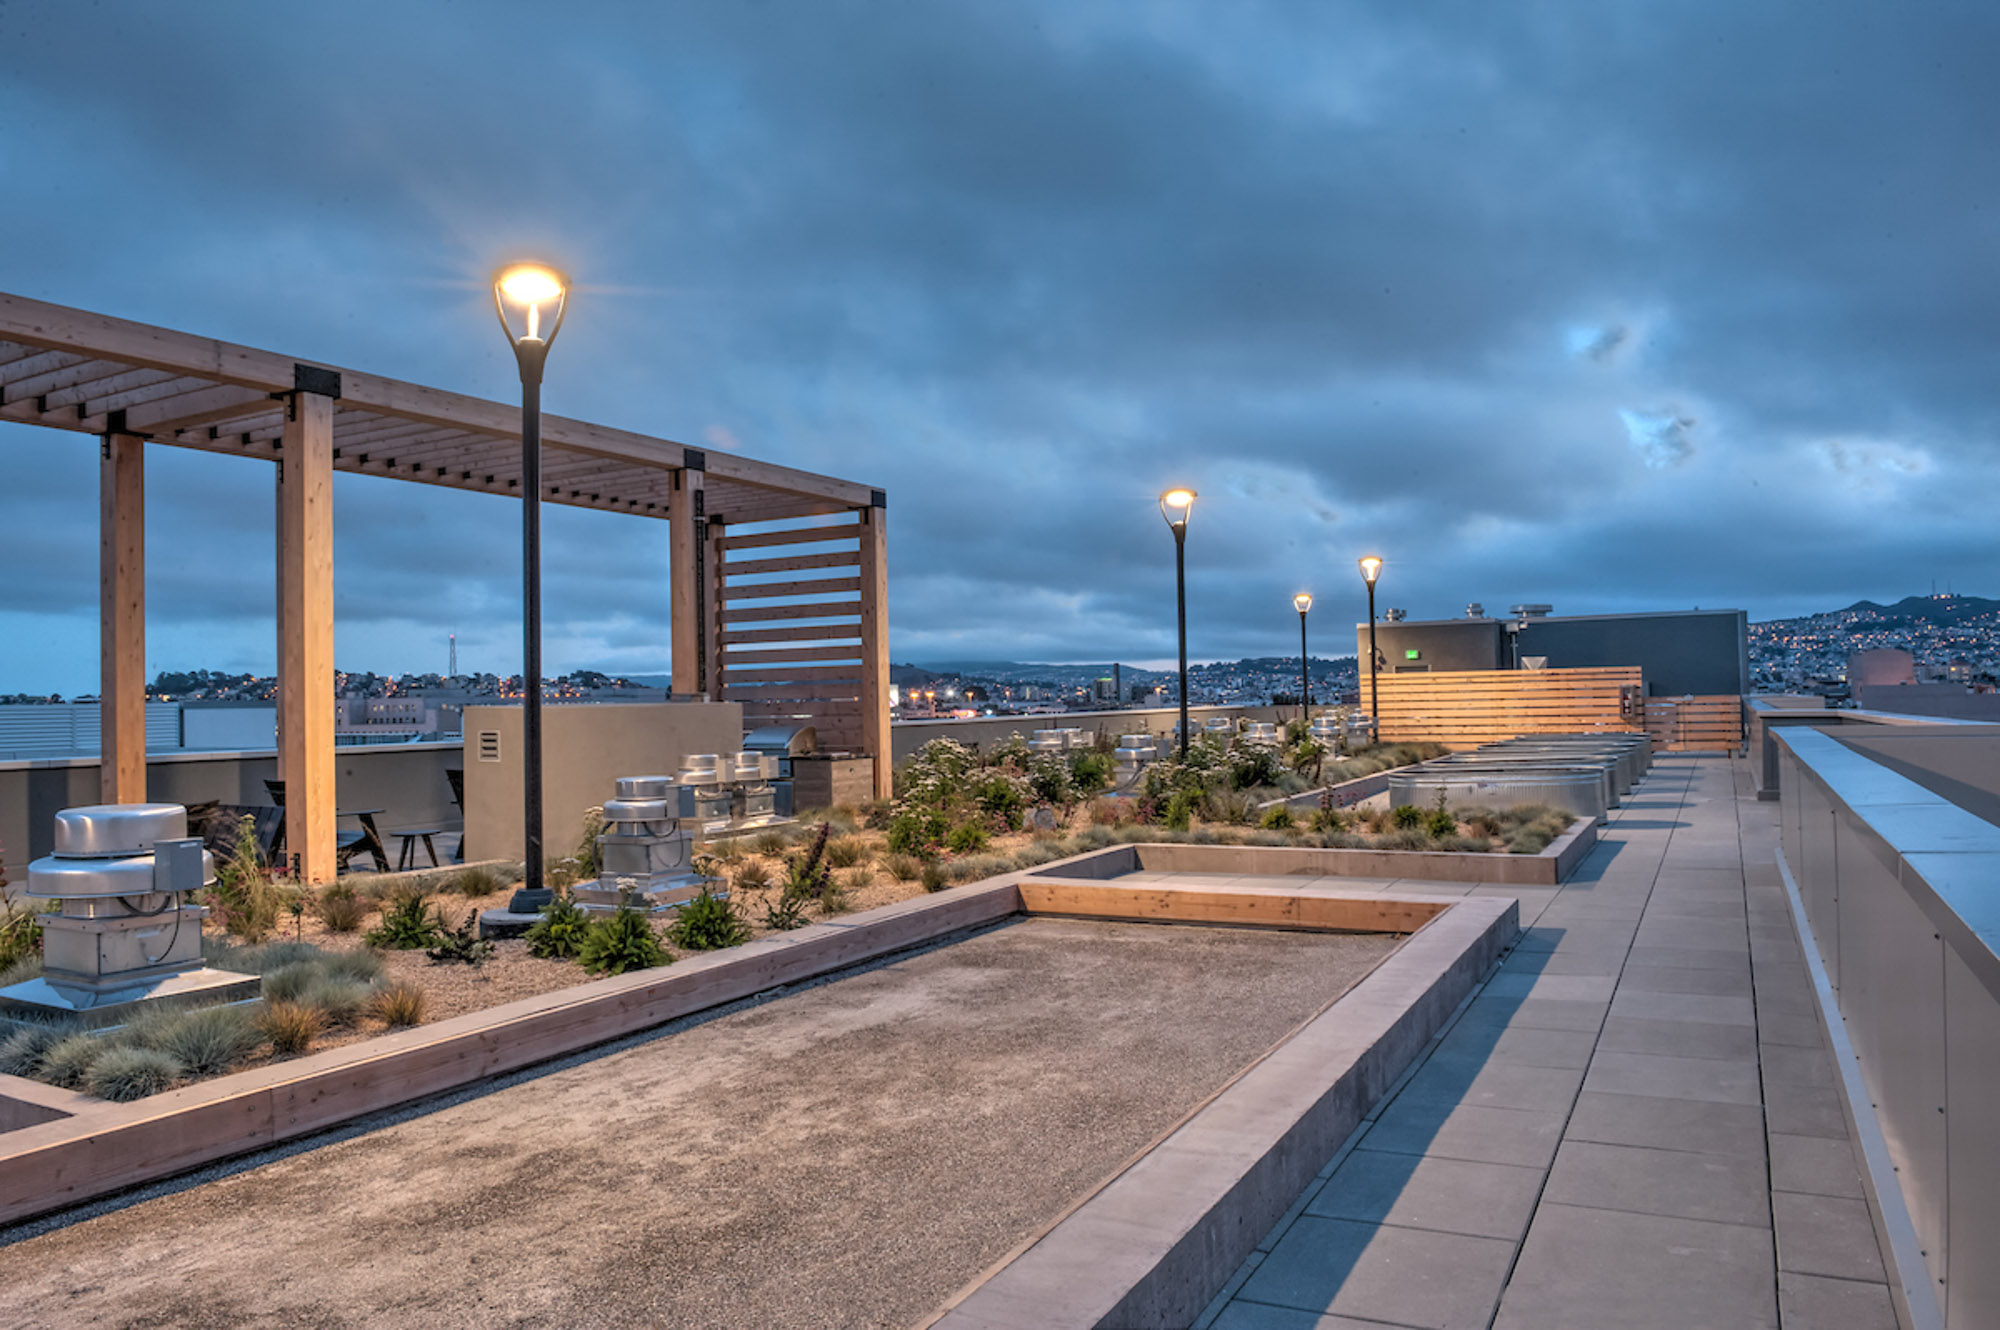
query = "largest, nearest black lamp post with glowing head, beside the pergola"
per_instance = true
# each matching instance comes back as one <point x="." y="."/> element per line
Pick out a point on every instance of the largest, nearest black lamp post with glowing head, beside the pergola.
<point x="531" y="301"/>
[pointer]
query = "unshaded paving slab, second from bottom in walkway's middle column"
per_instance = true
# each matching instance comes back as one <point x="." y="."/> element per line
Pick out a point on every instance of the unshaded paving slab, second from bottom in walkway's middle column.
<point x="1673" y="1183"/>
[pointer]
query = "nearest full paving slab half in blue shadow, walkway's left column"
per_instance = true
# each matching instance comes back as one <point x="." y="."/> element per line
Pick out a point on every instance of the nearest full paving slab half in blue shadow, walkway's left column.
<point x="1377" y="1273"/>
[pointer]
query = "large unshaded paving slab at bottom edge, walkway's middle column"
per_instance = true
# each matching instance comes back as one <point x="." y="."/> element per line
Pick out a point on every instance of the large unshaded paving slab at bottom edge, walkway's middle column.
<point x="1595" y="1269"/>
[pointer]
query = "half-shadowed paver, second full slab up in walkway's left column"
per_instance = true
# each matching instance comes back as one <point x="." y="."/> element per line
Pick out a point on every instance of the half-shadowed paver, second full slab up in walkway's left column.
<point x="1459" y="1197"/>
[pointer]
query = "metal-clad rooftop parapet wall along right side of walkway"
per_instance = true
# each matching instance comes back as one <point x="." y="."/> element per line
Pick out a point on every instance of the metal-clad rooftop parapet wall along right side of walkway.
<point x="1897" y="885"/>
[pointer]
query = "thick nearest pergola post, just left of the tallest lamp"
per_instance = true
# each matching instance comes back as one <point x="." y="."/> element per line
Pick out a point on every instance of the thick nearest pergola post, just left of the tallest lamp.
<point x="307" y="635"/>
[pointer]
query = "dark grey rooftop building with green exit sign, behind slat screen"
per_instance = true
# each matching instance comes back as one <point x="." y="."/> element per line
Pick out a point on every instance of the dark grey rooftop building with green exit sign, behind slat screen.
<point x="1701" y="653"/>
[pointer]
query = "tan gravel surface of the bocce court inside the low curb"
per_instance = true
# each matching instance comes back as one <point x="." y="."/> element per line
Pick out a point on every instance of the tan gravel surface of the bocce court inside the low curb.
<point x="845" y="1155"/>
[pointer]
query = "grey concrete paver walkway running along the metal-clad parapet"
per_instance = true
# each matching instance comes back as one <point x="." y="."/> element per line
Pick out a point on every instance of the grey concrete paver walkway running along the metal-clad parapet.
<point x="1633" y="1125"/>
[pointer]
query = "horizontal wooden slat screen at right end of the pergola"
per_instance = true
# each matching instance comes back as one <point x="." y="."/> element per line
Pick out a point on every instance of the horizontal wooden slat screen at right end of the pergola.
<point x="779" y="669"/>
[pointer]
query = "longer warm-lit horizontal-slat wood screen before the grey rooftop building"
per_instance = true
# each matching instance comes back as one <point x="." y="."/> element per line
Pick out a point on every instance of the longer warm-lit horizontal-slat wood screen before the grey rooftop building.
<point x="1467" y="709"/>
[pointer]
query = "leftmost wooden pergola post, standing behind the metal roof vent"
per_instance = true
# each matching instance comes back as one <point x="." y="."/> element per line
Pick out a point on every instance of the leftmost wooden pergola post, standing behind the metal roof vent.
<point x="123" y="619"/>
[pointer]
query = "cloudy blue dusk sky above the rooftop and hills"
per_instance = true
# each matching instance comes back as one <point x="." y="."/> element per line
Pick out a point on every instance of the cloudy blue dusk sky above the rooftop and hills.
<point x="1593" y="303"/>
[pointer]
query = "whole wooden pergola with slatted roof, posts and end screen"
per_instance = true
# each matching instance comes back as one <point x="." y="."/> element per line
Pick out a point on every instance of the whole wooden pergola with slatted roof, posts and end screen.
<point x="811" y="647"/>
